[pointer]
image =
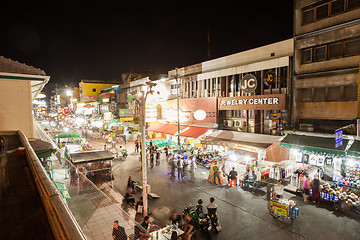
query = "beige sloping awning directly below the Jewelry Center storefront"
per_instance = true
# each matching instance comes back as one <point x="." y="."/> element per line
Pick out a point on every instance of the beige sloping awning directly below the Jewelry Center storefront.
<point x="243" y="138"/>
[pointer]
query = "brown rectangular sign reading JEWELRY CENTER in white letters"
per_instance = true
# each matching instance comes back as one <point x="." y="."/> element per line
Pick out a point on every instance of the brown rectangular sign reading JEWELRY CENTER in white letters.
<point x="256" y="102"/>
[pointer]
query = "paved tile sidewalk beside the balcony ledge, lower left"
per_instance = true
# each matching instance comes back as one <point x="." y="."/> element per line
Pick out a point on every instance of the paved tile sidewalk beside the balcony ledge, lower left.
<point x="94" y="211"/>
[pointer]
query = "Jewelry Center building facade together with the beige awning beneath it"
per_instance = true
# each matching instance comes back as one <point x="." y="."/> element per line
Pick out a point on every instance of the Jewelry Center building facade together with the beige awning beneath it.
<point x="251" y="88"/>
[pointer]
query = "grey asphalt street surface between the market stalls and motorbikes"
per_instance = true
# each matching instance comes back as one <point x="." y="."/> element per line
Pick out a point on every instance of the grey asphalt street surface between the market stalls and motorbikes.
<point x="242" y="214"/>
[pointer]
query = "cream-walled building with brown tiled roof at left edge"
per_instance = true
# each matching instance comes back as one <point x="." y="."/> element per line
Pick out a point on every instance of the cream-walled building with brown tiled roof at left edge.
<point x="19" y="85"/>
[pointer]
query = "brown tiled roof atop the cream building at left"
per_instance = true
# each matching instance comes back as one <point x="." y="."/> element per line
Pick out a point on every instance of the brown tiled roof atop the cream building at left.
<point x="10" y="66"/>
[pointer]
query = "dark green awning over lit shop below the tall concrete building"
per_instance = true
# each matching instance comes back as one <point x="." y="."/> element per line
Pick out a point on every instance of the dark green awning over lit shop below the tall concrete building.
<point x="313" y="143"/>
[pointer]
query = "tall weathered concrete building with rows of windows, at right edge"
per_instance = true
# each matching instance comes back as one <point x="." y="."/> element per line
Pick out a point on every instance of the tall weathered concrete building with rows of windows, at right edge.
<point x="326" y="63"/>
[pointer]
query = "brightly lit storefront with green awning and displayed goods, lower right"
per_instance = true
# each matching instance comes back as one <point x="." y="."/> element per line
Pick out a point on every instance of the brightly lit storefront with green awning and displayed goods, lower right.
<point x="316" y="156"/>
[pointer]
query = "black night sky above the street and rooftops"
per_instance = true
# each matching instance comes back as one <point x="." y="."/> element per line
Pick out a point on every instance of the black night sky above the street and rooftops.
<point x="72" y="40"/>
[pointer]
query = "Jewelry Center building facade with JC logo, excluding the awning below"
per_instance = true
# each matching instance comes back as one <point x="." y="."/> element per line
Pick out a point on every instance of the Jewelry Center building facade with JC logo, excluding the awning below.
<point x="229" y="79"/>
